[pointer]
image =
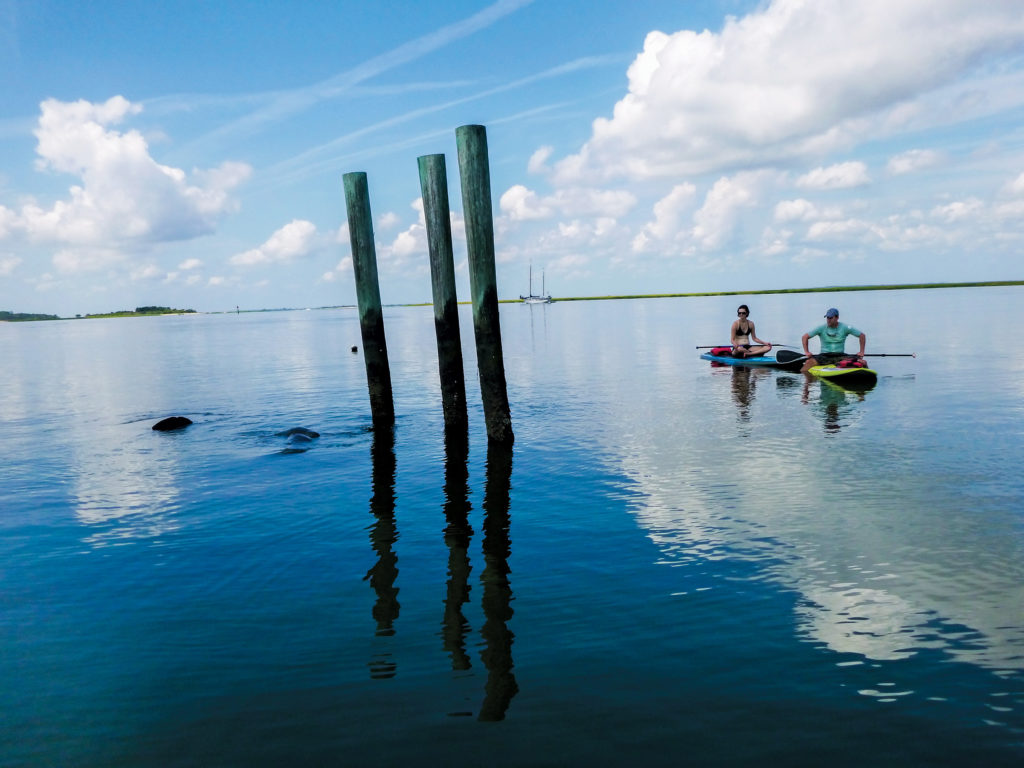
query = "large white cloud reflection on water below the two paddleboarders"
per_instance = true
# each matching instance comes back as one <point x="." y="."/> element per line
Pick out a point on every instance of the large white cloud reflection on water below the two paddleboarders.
<point x="887" y="564"/>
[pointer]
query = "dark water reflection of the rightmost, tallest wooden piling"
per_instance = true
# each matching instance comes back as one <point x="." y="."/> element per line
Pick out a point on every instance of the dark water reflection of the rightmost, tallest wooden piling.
<point x="497" y="601"/>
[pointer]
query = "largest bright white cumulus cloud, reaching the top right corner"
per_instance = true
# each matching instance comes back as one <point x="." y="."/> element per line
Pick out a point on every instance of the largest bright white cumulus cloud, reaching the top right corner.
<point x="794" y="79"/>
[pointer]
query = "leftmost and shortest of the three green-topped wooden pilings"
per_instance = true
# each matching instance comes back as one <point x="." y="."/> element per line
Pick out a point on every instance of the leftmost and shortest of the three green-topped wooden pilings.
<point x="361" y="233"/>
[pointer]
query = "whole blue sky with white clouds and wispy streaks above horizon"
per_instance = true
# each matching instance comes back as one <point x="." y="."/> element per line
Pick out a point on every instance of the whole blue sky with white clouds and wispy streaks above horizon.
<point x="191" y="154"/>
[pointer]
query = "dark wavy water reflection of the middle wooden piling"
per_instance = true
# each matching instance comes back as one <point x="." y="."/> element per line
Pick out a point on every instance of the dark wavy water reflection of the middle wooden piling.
<point x="457" y="538"/>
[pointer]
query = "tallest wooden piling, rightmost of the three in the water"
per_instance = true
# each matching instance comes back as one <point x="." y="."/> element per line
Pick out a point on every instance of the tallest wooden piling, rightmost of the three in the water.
<point x="476" y="174"/>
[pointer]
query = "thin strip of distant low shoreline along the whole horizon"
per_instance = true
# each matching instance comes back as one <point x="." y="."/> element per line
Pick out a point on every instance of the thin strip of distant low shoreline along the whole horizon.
<point x="823" y="289"/>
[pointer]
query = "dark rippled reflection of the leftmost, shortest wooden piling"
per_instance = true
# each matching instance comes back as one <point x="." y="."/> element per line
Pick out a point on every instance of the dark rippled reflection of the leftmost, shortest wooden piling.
<point x="383" y="535"/>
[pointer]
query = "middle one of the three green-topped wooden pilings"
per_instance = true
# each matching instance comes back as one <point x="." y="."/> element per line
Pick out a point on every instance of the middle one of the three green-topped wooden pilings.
<point x="434" y="185"/>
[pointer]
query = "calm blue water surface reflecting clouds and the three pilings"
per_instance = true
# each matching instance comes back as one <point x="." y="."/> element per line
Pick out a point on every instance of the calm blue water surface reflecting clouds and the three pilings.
<point x="674" y="564"/>
